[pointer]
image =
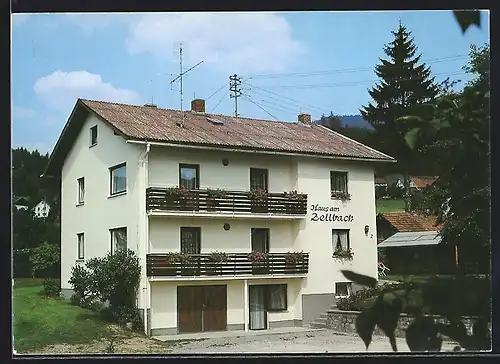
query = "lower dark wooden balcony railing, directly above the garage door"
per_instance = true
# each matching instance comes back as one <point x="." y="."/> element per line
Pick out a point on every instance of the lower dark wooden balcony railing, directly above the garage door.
<point x="237" y="265"/>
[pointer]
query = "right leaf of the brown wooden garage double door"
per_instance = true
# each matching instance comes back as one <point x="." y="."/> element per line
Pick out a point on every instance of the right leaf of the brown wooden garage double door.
<point x="215" y="308"/>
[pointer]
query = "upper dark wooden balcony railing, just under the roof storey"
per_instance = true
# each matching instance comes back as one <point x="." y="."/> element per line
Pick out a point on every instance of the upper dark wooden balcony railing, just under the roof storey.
<point x="157" y="199"/>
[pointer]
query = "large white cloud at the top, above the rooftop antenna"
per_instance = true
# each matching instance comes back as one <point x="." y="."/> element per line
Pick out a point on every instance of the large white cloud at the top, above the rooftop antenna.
<point x="232" y="42"/>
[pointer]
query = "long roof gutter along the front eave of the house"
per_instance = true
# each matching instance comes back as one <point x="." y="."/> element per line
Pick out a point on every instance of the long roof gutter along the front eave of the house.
<point x="163" y="144"/>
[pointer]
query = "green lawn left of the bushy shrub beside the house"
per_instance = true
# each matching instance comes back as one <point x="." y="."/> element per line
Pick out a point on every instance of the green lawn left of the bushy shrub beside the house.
<point x="40" y="321"/>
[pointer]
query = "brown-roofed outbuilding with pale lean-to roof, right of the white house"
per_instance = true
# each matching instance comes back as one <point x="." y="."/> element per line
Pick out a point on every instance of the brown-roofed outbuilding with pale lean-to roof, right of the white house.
<point x="411" y="244"/>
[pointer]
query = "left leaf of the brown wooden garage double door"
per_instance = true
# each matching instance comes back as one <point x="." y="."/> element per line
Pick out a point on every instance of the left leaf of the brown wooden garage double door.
<point x="189" y="306"/>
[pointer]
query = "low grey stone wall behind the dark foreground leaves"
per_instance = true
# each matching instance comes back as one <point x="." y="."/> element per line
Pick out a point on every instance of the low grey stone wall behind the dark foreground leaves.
<point x="344" y="321"/>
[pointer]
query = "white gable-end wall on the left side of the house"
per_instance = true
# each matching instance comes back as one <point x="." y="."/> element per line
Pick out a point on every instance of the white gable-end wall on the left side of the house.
<point x="99" y="213"/>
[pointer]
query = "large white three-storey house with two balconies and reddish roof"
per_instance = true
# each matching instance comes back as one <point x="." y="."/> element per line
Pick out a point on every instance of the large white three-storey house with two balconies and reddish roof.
<point x="119" y="165"/>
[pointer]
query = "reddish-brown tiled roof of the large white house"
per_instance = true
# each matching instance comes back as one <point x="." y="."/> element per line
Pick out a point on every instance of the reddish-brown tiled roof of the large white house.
<point x="156" y="124"/>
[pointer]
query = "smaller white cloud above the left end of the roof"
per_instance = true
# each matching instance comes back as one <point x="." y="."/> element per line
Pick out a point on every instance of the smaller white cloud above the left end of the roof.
<point x="60" y="90"/>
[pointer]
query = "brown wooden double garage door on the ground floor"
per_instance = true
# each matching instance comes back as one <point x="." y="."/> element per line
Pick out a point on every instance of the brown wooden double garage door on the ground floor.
<point x="202" y="308"/>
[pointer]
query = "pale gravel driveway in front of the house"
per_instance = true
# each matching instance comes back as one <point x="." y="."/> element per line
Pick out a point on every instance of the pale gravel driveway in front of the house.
<point x="317" y="341"/>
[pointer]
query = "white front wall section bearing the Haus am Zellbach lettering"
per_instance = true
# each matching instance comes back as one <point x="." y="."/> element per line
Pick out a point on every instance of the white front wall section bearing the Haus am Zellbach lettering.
<point x="316" y="236"/>
